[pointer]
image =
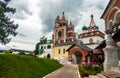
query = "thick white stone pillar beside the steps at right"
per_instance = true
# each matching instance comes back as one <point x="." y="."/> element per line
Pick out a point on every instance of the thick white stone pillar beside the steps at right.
<point x="110" y="52"/>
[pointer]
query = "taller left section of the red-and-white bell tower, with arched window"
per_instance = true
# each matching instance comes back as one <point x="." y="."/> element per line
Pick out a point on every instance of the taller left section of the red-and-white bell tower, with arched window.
<point x="59" y="35"/>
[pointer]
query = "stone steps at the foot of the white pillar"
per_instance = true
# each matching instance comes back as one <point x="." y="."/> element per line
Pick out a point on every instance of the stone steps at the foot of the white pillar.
<point x="114" y="72"/>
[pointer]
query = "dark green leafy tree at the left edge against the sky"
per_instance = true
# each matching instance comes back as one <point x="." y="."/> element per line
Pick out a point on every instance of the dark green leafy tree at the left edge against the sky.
<point x="7" y="26"/>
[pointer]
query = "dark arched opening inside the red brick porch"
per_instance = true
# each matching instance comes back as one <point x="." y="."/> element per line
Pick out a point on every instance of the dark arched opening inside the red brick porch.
<point x="77" y="58"/>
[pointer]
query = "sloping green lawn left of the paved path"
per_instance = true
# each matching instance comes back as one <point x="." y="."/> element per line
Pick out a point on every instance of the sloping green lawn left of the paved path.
<point x="21" y="66"/>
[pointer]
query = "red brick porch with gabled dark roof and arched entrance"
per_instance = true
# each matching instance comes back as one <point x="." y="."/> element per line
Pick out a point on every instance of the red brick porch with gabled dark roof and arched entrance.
<point x="78" y="53"/>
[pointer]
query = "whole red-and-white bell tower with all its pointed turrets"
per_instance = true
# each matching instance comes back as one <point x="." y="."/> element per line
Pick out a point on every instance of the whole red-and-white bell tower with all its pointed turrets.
<point x="63" y="32"/>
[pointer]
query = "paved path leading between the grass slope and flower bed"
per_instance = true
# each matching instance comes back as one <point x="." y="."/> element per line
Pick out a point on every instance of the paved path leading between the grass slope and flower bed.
<point x="68" y="71"/>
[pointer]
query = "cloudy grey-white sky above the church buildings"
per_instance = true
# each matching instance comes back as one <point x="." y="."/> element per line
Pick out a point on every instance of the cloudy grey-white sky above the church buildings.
<point x="36" y="18"/>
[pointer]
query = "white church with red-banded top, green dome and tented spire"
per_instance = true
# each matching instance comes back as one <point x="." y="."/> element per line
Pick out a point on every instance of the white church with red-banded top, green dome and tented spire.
<point x="91" y="35"/>
